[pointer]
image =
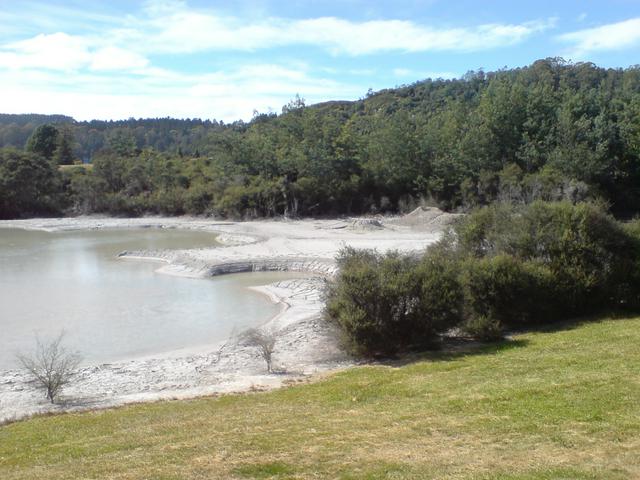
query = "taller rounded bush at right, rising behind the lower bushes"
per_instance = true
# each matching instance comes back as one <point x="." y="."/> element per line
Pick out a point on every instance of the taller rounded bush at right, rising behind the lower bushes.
<point x="584" y="249"/>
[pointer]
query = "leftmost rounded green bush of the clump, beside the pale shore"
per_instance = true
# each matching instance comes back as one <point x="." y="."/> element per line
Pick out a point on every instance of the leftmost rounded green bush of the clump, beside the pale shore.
<point x="386" y="303"/>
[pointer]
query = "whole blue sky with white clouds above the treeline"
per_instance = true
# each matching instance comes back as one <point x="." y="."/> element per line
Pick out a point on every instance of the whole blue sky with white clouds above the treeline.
<point x="225" y="60"/>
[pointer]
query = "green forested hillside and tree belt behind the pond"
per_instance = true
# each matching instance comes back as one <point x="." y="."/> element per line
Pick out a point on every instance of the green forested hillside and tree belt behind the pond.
<point x="552" y="130"/>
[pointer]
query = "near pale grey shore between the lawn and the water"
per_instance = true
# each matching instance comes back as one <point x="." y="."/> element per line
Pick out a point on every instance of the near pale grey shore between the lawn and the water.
<point x="304" y="347"/>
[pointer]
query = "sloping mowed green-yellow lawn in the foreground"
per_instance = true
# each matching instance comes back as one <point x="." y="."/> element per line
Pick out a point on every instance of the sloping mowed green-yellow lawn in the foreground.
<point x="546" y="405"/>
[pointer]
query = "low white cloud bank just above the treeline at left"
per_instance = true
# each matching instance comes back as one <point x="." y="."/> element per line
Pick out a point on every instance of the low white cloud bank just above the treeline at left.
<point x="224" y="95"/>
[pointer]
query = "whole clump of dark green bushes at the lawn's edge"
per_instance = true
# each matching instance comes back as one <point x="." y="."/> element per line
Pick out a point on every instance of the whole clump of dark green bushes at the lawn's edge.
<point x="502" y="266"/>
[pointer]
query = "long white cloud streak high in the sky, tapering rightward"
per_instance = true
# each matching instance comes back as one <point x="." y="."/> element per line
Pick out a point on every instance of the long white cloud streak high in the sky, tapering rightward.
<point x="183" y="30"/>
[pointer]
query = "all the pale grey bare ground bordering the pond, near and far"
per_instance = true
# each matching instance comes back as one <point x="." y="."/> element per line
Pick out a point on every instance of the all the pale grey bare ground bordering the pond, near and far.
<point x="305" y="345"/>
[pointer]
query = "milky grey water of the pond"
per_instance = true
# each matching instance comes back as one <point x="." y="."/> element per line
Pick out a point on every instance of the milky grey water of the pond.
<point x="114" y="309"/>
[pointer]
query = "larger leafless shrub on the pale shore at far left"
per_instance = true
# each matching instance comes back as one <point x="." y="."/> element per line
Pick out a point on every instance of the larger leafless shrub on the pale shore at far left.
<point x="51" y="365"/>
